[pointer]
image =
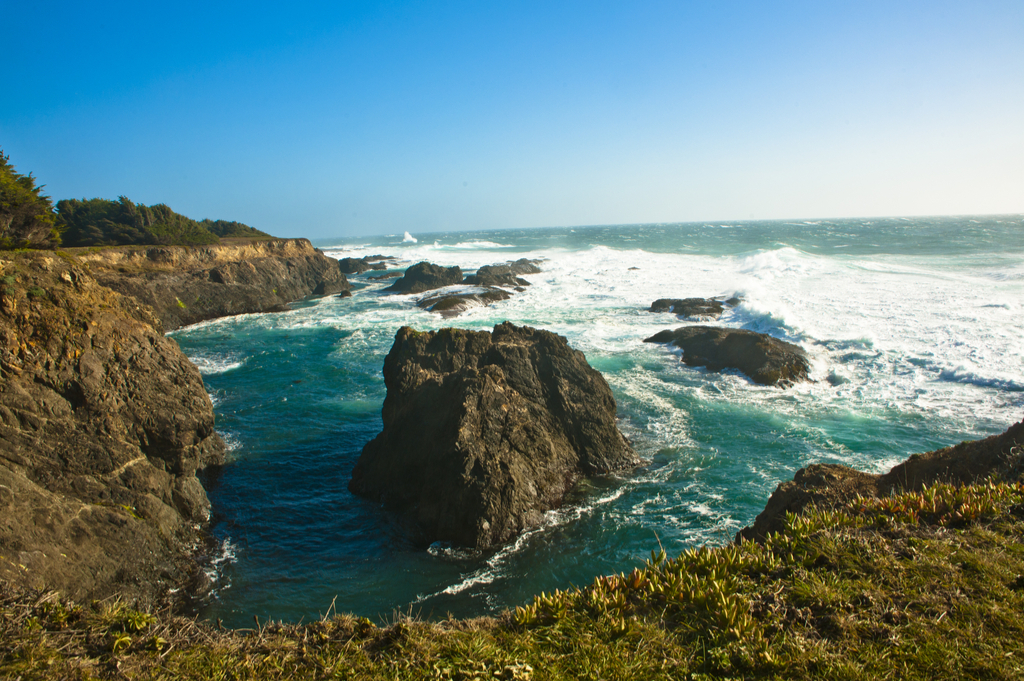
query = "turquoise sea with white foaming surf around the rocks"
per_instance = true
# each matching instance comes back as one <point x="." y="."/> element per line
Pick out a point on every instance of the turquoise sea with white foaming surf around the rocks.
<point x="914" y="327"/>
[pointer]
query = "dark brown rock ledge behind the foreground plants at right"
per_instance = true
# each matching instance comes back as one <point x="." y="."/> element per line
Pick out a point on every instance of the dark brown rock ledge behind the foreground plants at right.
<point x="831" y="485"/>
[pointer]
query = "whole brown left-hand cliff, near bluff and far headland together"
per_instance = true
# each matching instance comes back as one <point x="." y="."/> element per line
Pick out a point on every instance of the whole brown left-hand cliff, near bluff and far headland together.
<point x="105" y="422"/>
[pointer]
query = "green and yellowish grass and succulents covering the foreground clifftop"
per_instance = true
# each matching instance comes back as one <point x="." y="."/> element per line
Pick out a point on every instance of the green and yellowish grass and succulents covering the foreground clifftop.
<point x="918" y="586"/>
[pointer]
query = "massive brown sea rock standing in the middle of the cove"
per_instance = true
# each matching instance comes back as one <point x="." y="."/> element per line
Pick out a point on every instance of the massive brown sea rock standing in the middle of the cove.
<point x="484" y="433"/>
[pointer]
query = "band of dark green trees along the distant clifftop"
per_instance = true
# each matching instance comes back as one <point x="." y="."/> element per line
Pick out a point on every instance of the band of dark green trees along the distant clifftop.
<point x="29" y="220"/>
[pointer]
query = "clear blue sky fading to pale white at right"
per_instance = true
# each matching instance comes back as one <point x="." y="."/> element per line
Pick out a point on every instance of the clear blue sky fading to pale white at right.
<point x="359" y="118"/>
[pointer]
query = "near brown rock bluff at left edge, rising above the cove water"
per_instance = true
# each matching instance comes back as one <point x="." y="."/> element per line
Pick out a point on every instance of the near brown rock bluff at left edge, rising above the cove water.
<point x="104" y="423"/>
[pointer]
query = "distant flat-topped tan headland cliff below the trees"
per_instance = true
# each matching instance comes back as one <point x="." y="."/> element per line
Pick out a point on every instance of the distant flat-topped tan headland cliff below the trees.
<point x="186" y="285"/>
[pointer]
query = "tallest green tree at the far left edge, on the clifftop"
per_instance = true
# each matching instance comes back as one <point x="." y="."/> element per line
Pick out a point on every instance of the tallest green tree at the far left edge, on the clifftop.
<point x="27" y="219"/>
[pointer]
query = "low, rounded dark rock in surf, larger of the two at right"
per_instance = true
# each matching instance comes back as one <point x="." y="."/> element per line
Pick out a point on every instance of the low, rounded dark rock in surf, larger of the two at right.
<point x="765" y="360"/>
